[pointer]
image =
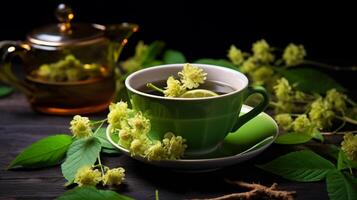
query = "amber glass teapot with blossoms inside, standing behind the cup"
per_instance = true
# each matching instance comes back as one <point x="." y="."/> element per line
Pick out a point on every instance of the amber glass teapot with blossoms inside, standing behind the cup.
<point x="69" y="68"/>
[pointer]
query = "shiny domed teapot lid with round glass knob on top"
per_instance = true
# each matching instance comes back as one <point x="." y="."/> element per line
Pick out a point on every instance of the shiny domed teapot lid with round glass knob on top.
<point x="66" y="33"/>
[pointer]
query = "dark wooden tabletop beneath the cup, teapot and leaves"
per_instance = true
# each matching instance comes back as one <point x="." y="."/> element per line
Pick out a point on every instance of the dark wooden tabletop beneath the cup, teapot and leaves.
<point x="20" y="126"/>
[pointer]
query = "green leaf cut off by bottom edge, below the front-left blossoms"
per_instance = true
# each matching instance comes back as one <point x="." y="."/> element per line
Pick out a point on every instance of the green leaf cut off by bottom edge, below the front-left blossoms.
<point x="92" y="193"/>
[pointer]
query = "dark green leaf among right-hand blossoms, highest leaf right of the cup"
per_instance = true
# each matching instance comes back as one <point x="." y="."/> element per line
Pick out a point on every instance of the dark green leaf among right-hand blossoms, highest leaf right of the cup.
<point x="309" y="80"/>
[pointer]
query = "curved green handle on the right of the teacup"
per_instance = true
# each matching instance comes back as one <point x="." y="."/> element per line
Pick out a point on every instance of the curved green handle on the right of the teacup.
<point x="256" y="110"/>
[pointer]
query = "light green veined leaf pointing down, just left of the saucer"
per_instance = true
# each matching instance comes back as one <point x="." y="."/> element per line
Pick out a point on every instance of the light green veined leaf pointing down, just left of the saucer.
<point x="82" y="152"/>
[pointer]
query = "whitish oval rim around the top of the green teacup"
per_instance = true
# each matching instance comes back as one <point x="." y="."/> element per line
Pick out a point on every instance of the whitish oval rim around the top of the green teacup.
<point x="128" y="86"/>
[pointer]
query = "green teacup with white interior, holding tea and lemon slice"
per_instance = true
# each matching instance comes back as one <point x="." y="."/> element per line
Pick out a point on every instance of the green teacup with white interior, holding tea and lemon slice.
<point x="203" y="122"/>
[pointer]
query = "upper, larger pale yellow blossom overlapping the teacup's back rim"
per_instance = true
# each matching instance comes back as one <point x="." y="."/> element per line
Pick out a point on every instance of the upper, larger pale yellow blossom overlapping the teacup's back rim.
<point x="191" y="76"/>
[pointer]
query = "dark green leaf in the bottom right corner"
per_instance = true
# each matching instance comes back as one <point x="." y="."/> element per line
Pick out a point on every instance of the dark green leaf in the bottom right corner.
<point x="340" y="186"/>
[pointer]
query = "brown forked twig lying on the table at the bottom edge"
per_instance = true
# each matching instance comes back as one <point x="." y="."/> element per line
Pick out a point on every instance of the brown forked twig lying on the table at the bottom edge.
<point x="257" y="191"/>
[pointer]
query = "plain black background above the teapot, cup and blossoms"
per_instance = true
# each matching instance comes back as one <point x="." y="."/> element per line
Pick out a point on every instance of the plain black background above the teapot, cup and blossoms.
<point x="207" y="29"/>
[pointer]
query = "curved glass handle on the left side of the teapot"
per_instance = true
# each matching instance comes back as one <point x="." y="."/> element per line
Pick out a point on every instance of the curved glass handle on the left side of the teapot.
<point x="8" y="49"/>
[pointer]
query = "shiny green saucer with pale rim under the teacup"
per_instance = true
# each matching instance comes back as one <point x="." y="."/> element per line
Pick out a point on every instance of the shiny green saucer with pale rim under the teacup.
<point x="250" y="140"/>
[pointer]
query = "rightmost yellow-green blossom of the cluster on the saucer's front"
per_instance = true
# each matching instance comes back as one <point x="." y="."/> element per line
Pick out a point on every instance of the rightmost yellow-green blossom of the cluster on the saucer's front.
<point x="174" y="145"/>
